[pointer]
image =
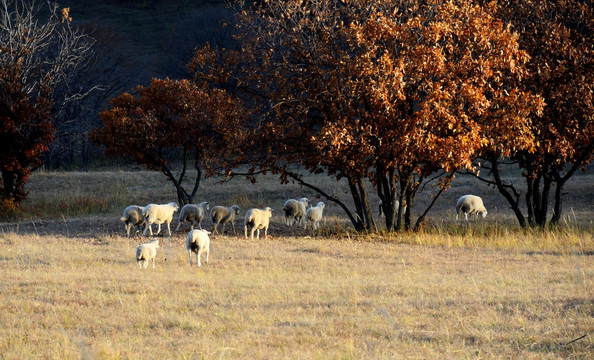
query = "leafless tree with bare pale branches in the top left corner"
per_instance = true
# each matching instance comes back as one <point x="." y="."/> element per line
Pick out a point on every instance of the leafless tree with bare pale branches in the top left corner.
<point x="50" y="51"/>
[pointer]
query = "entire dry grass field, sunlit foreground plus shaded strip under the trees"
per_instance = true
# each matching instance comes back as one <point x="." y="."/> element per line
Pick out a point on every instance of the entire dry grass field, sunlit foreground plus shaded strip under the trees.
<point x="70" y="287"/>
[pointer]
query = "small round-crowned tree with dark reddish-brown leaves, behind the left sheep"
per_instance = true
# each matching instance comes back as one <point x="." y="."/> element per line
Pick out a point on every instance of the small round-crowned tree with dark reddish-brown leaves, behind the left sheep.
<point x="173" y="122"/>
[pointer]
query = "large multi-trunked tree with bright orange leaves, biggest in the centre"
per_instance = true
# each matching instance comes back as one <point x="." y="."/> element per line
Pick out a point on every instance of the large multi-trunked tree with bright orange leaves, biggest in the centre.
<point x="397" y="93"/>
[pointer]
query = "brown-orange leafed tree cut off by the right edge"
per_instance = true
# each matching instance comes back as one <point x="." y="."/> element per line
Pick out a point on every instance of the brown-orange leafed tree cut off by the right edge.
<point x="559" y="37"/>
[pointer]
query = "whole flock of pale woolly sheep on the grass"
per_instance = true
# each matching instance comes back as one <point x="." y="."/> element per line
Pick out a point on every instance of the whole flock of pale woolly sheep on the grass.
<point x="198" y="240"/>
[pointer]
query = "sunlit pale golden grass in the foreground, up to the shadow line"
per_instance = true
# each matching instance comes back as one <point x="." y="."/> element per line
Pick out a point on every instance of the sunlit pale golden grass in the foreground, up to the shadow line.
<point x="291" y="298"/>
